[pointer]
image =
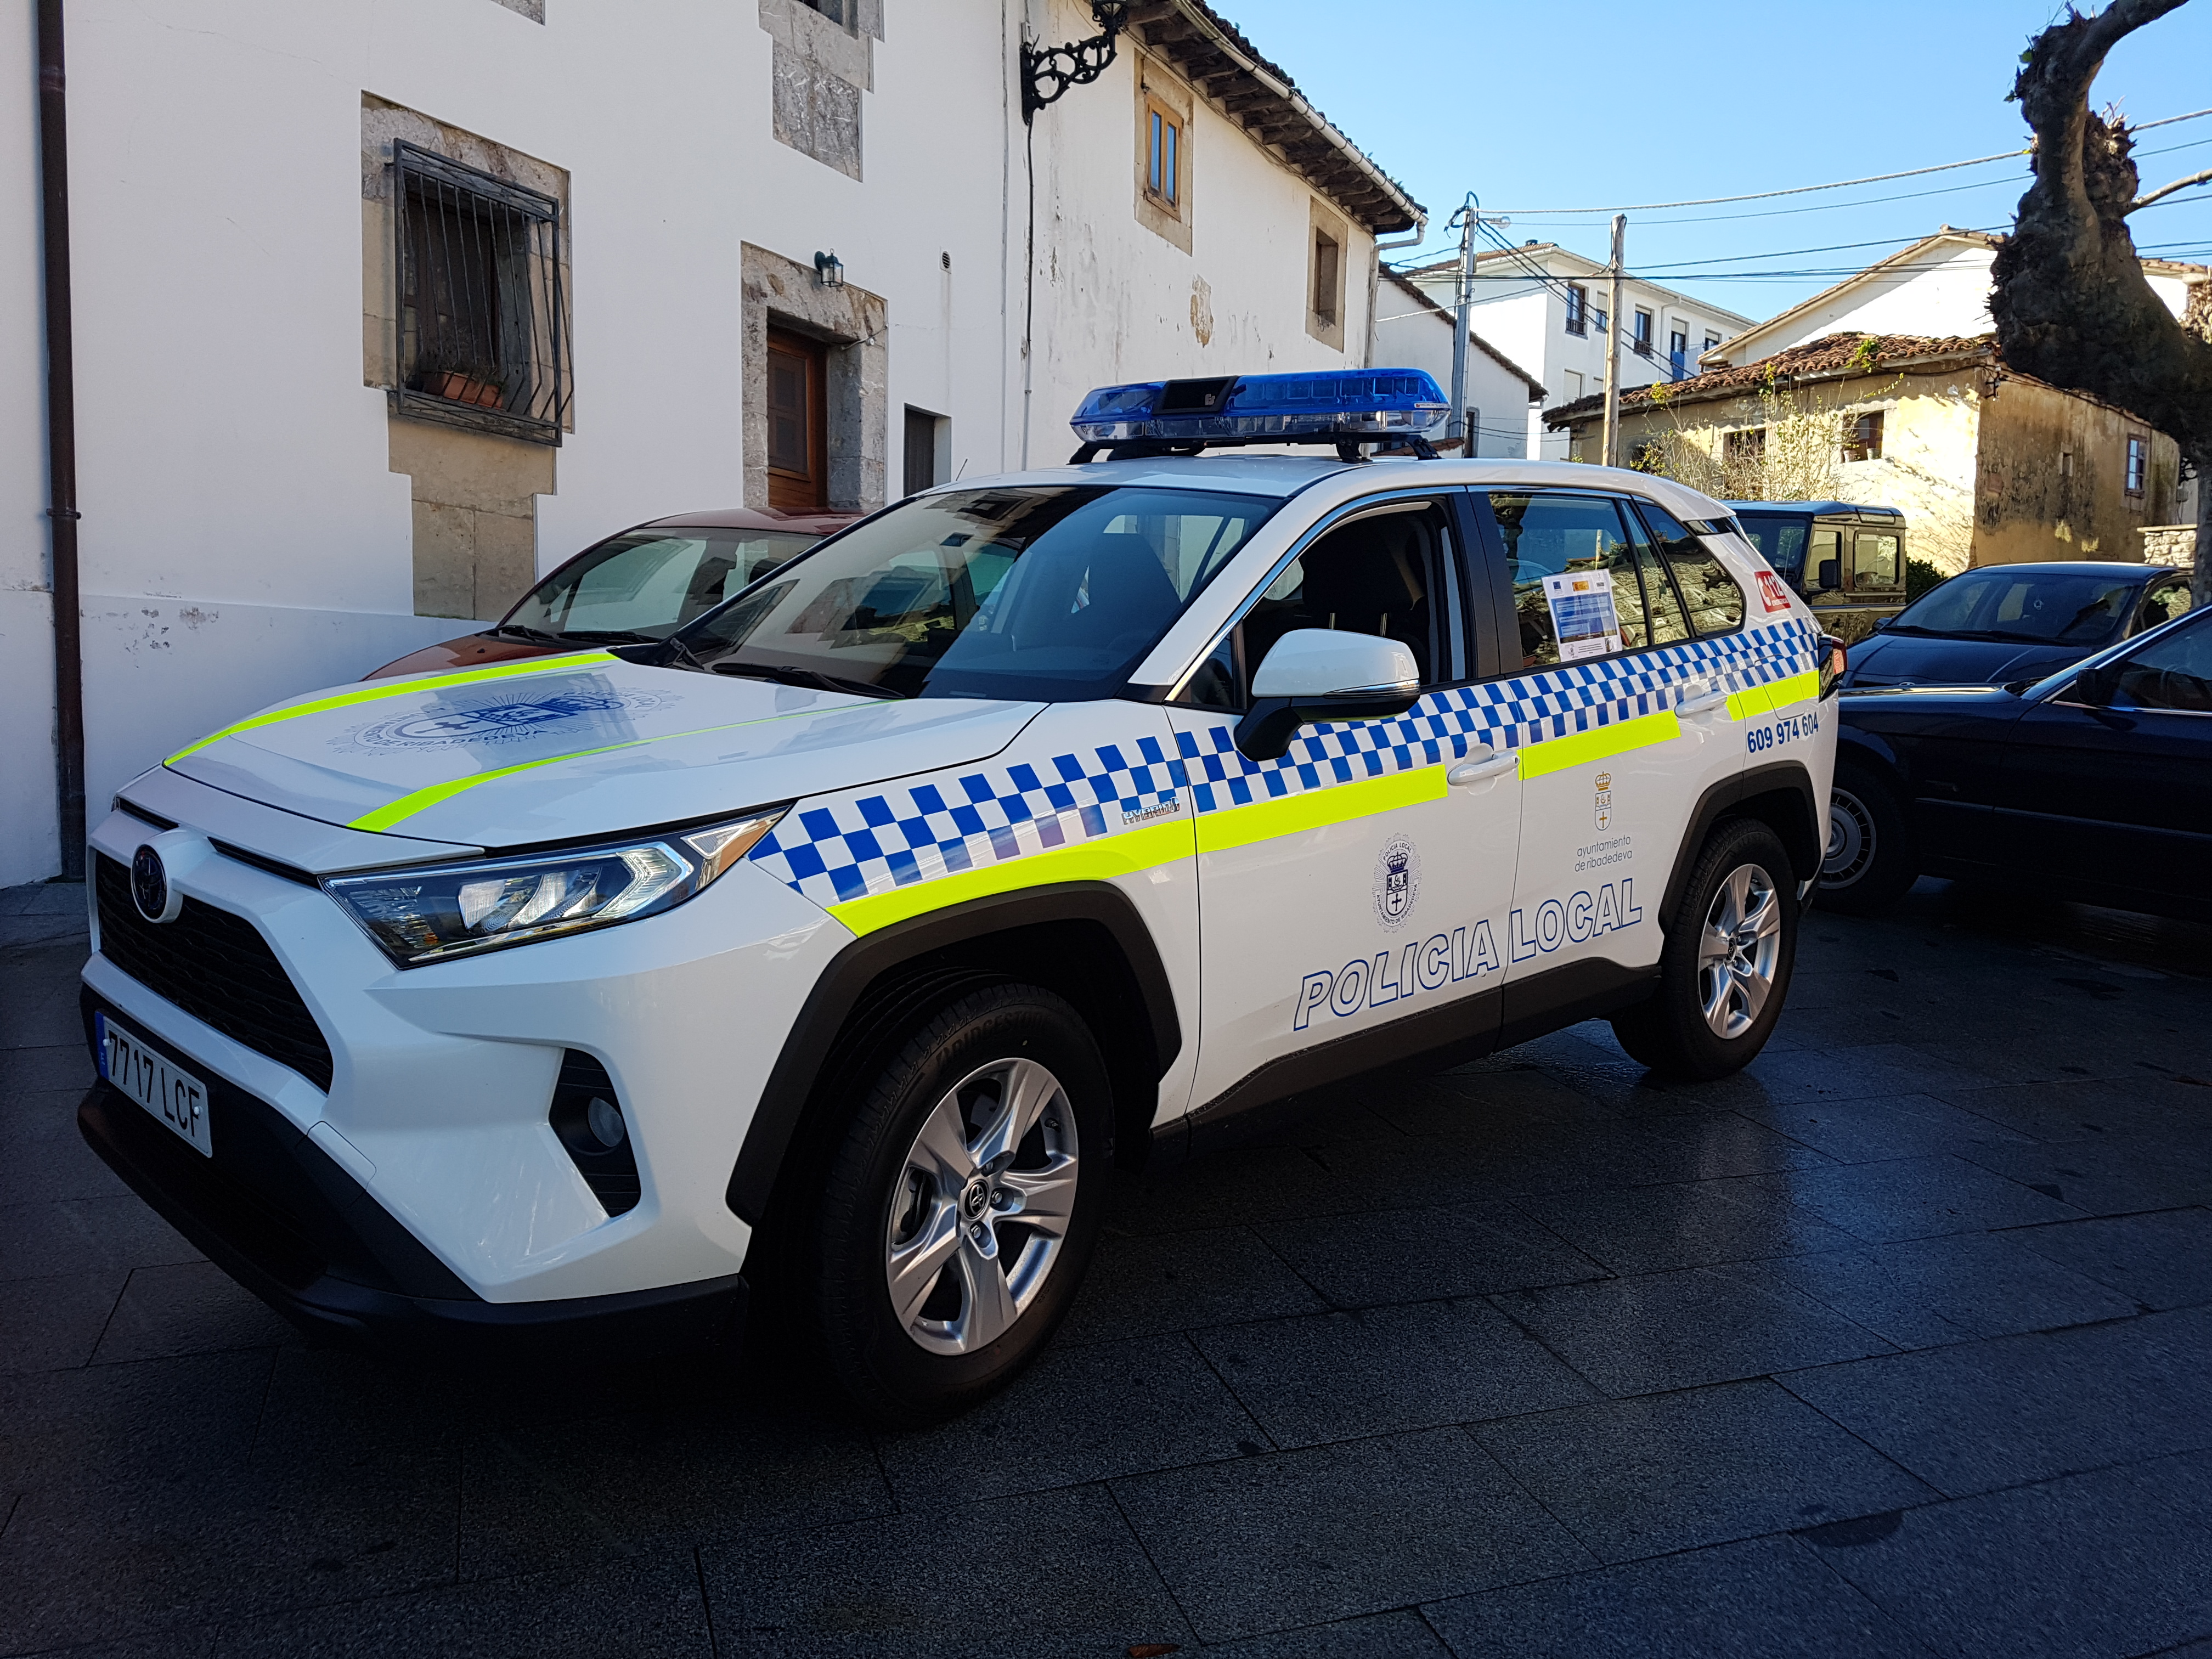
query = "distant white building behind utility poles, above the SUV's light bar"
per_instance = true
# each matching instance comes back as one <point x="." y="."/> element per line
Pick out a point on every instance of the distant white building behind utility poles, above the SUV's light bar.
<point x="1545" y="309"/>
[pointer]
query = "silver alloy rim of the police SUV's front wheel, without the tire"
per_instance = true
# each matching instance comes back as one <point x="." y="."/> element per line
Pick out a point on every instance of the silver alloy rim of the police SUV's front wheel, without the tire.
<point x="981" y="1209"/>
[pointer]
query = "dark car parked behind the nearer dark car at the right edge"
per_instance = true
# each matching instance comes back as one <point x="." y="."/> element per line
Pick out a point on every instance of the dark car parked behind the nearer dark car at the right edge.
<point x="2007" y="623"/>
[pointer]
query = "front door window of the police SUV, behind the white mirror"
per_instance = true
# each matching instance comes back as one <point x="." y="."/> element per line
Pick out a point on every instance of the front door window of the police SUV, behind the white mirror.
<point x="1388" y="574"/>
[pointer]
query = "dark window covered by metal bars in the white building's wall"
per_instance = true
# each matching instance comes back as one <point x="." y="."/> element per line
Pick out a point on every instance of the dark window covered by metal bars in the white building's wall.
<point x="483" y="309"/>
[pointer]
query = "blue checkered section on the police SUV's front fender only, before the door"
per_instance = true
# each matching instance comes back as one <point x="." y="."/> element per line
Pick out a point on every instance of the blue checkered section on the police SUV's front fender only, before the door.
<point x="855" y="846"/>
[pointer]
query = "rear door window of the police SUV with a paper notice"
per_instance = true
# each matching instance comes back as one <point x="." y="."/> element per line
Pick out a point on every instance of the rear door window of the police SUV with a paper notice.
<point x="1561" y="536"/>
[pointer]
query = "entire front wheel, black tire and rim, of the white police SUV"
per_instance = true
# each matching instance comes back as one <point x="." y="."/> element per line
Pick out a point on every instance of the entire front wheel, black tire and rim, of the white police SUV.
<point x="930" y="1291"/>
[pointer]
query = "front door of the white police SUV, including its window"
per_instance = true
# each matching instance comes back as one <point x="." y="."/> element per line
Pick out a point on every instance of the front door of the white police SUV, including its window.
<point x="1359" y="881"/>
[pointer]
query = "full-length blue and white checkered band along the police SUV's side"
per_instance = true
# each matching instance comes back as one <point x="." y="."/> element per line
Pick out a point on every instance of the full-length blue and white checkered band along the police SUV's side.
<point x="844" y="848"/>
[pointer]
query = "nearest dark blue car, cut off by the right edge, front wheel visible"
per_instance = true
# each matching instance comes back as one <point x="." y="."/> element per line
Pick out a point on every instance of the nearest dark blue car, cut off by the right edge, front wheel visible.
<point x="2094" y="784"/>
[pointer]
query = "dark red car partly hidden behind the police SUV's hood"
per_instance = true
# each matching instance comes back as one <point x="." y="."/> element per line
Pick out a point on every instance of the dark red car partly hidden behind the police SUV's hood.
<point x="634" y="587"/>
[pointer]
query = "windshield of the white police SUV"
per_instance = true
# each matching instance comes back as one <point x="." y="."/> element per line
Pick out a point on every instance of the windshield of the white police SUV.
<point x="1043" y="594"/>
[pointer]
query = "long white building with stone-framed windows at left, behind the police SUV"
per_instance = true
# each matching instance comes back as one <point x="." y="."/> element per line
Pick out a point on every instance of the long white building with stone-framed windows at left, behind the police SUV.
<point x="388" y="306"/>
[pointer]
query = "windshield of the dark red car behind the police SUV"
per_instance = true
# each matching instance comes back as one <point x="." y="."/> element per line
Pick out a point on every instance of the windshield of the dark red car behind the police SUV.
<point x="651" y="583"/>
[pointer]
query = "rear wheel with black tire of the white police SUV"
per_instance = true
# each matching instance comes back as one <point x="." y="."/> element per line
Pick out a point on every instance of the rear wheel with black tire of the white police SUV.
<point x="1726" y="963"/>
